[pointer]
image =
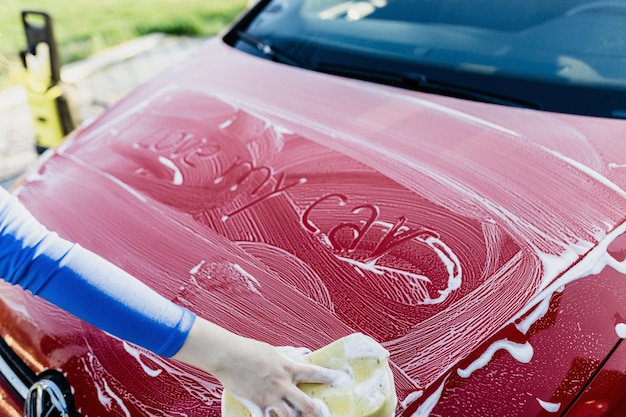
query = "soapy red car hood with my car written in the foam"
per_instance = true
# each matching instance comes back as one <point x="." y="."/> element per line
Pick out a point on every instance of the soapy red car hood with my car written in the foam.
<point x="297" y="207"/>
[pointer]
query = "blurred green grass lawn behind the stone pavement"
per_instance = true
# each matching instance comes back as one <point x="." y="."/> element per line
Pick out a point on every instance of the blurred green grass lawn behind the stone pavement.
<point x="85" y="27"/>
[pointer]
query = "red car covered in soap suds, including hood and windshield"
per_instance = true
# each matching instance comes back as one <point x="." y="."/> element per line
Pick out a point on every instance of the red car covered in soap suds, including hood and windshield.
<point x="448" y="177"/>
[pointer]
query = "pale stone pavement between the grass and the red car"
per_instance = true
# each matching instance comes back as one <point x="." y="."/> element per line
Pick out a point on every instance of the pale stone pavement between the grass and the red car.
<point x="93" y="84"/>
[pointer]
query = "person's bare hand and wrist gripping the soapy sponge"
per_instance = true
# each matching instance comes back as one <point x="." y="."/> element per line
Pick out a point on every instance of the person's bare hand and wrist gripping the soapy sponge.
<point x="255" y="373"/>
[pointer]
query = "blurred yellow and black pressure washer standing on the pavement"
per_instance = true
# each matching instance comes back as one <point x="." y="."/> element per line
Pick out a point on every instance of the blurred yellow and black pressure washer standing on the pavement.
<point x="50" y="107"/>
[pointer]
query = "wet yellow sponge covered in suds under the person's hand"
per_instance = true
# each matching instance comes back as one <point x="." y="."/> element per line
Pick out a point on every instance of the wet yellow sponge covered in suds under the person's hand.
<point x="367" y="391"/>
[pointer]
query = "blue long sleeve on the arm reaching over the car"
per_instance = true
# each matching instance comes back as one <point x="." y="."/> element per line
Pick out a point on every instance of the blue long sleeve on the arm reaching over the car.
<point x="86" y="285"/>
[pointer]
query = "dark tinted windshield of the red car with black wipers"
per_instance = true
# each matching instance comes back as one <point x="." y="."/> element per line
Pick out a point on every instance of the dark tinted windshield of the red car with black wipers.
<point x="558" y="55"/>
